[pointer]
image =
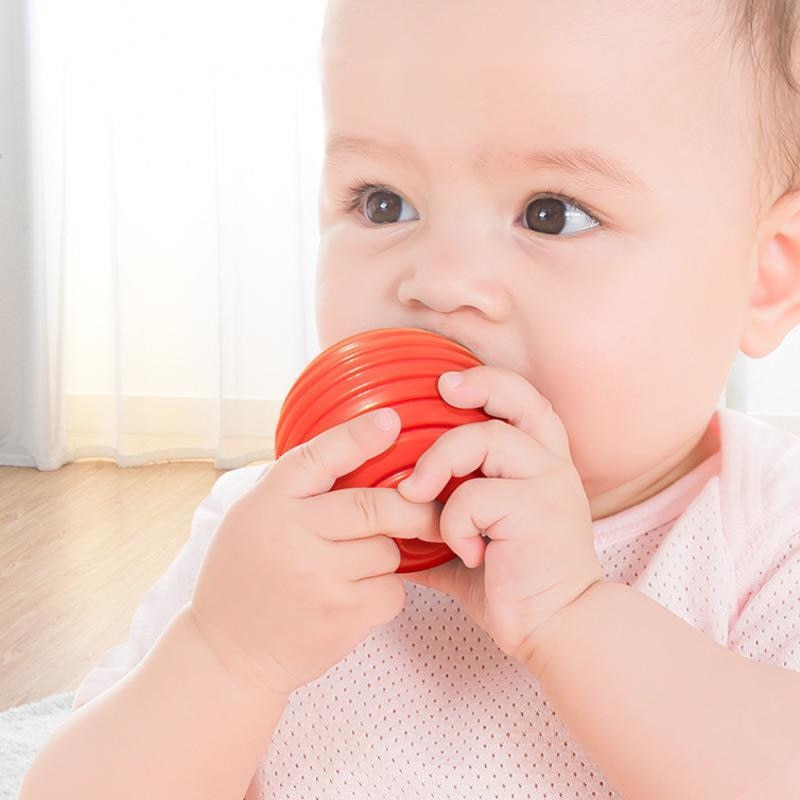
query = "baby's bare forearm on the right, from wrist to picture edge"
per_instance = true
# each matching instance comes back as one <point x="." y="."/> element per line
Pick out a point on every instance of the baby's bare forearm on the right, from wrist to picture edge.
<point x="664" y="710"/>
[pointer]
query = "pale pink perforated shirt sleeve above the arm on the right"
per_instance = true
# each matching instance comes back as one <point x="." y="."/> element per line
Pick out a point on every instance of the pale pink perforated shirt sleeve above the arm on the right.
<point x="767" y="629"/>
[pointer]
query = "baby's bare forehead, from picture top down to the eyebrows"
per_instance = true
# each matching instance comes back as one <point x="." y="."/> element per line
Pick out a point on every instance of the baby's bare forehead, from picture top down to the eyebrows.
<point x="477" y="78"/>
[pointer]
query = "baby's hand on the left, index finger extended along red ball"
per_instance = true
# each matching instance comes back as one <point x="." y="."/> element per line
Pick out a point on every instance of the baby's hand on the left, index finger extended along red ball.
<point x="296" y="576"/>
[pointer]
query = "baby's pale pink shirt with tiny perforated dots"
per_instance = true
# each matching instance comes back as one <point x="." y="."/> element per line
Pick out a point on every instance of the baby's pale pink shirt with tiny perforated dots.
<point x="427" y="706"/>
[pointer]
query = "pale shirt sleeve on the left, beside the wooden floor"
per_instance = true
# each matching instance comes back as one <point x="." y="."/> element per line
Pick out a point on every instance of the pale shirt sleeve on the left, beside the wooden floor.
<point x="173" y="589"/>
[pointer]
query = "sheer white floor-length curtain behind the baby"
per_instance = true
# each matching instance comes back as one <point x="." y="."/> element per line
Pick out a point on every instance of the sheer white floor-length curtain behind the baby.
<point x="157" y="297"/>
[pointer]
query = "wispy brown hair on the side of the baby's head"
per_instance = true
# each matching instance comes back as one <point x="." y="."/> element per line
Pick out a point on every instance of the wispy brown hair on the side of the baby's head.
<point x="769" y="31"/>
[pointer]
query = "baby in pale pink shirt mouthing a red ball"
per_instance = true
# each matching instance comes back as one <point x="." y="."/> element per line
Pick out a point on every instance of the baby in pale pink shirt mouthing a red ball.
<point x="598" y="199"/>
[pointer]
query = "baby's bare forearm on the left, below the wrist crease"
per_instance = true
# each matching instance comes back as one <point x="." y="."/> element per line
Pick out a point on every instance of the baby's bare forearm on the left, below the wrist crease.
<point x="180" y="724"/>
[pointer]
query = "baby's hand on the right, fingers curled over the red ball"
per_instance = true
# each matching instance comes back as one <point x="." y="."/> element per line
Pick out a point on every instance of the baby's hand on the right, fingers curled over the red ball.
<point x="532" y="506"/>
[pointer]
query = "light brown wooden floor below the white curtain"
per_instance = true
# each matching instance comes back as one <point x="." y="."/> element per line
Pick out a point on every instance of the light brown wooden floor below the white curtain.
<point x="79" y="547"/>
